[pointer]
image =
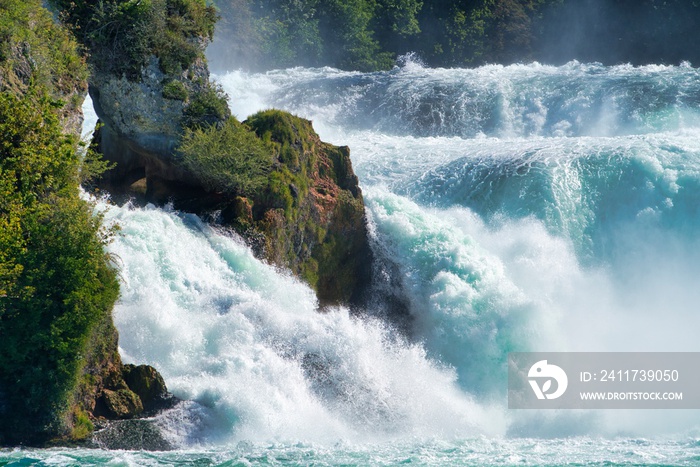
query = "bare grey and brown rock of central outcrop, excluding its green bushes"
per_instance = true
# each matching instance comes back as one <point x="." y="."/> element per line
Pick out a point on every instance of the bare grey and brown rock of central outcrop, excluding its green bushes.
<point x="310" y="218"/>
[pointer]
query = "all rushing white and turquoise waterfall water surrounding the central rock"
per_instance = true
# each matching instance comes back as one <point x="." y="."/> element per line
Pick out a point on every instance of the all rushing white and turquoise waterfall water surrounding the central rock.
<point x="523" y="208"/>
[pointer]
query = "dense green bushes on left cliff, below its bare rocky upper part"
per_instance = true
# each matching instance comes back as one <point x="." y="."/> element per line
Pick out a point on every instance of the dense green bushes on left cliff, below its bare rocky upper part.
<point x="55" y="278"/>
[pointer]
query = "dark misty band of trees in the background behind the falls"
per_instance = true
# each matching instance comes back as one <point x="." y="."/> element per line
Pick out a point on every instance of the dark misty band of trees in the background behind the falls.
<point x="369" y="34"/>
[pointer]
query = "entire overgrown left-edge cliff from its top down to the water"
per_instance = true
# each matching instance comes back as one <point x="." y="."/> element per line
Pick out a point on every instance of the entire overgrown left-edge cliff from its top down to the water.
<point x="56" y="282"/>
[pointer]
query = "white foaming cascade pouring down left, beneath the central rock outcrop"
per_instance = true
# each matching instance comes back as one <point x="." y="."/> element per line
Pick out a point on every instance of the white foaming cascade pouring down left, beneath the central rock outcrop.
<point x="246" y="343"/>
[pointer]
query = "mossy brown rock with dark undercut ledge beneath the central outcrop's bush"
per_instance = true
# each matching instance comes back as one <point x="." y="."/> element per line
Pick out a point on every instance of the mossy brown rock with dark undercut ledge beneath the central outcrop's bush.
<point x="309" y="217"/>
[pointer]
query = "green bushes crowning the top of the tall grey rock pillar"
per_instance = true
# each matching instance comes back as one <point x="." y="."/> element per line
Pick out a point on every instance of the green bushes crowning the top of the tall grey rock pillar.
<point x="122" y="34"/>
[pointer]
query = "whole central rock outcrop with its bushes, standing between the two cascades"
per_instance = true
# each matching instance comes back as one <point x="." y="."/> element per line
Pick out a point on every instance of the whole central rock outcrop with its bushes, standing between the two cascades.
<point x="306" y="212"/>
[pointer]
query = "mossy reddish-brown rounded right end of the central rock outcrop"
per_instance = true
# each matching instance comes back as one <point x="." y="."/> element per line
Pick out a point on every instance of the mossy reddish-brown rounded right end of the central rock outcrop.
<point x="315" y="225"/>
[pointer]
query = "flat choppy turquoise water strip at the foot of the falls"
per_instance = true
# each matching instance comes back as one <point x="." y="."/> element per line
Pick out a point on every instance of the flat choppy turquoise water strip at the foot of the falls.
<point x="473" y="452"/>
